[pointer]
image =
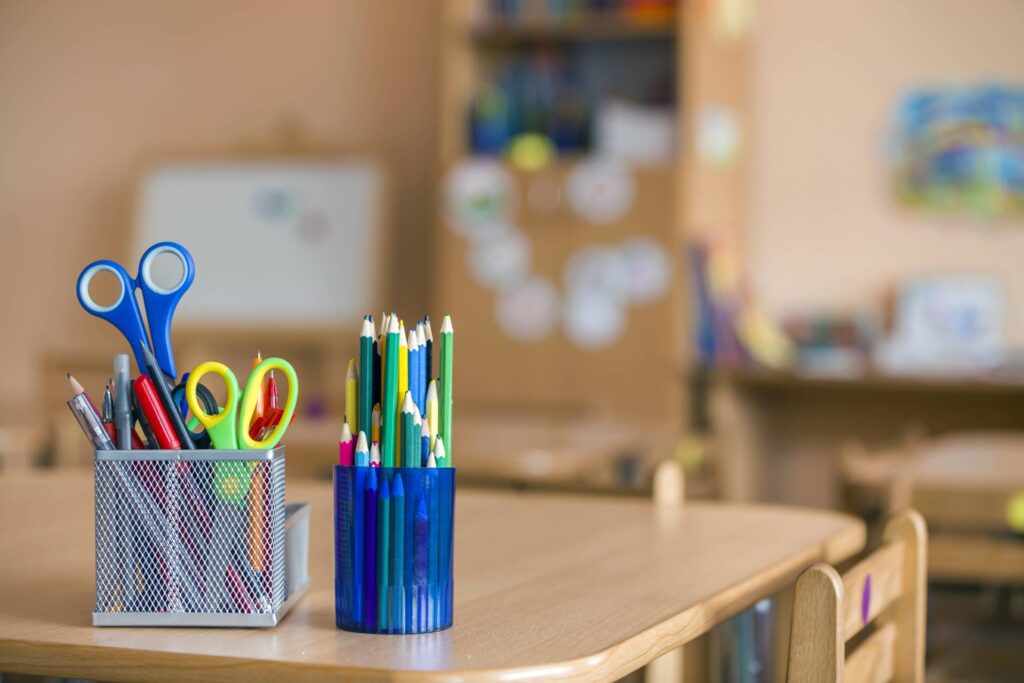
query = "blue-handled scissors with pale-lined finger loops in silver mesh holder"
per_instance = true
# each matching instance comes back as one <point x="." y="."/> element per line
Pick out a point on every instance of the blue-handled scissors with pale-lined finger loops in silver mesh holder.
<point x="160" y="304"/>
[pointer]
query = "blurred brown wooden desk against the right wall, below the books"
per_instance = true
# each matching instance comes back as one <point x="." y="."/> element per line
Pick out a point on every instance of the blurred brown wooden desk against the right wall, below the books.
<point x="779" y="436"/>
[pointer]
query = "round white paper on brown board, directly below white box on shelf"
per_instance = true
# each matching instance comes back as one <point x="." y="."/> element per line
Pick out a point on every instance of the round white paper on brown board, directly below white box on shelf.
<point x="601" y="191"/>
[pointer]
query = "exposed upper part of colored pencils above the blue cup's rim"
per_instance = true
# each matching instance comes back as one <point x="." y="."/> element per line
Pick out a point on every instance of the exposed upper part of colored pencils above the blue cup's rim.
<point x="398" y="413"/>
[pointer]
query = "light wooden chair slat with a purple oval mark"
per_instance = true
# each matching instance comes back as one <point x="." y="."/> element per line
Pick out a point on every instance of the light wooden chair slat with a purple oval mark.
<point x="871" y="586"/>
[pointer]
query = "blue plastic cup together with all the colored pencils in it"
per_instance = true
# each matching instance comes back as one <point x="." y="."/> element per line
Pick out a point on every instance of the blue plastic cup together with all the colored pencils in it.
<point x="395" y="526"/>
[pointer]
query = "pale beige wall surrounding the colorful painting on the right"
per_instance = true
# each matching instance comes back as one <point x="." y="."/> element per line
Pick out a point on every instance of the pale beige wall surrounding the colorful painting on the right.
<point x="825" y="232"/>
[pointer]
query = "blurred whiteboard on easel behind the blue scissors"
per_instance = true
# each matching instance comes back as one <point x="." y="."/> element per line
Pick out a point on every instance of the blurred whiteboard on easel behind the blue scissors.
<point x="275" y="244"/>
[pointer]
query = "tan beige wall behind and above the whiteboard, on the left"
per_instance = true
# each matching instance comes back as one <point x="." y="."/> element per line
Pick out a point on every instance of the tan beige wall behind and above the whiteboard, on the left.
<point x="92" y="93"/>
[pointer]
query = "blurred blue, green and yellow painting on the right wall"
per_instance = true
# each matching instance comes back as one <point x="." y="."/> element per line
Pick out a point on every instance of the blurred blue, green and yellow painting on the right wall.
<point x="962" y="151"/>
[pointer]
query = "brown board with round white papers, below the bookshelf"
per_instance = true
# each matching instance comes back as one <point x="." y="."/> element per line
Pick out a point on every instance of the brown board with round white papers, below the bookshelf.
<point x="568" y="361"/>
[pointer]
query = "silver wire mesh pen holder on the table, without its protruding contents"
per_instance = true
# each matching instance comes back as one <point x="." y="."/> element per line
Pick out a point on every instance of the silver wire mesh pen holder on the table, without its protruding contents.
<point x="196" y="538"/>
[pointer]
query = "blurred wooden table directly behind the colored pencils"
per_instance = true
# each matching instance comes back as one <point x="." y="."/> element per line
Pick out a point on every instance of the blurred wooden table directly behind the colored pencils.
<point x="521" y="451"/>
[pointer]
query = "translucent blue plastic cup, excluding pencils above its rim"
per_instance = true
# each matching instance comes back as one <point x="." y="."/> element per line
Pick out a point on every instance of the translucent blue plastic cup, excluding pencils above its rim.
<point x="393" y="548"/>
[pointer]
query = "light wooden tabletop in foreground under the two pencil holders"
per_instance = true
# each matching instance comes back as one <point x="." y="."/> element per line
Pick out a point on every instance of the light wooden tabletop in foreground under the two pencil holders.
<point x="547" y="588"/>
